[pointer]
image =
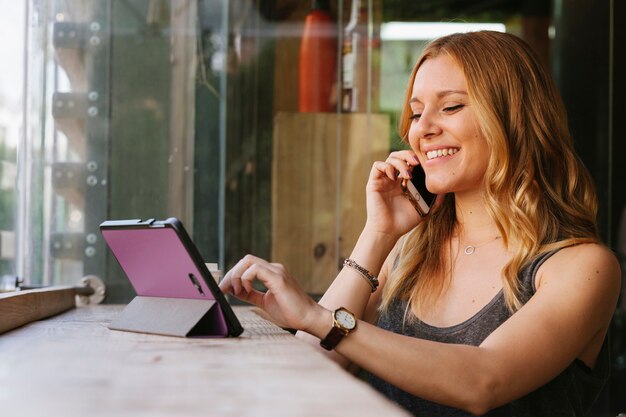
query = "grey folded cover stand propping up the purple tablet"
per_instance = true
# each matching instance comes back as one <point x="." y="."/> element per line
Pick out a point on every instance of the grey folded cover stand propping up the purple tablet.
<point x="182" y="317"/>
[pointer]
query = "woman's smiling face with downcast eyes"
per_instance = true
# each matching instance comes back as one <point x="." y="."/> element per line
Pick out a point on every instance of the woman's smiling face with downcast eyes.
<point x="444" y="130"/>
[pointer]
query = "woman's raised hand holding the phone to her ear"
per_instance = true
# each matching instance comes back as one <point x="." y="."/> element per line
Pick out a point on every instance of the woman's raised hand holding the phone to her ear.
<point x="388" y="210"/>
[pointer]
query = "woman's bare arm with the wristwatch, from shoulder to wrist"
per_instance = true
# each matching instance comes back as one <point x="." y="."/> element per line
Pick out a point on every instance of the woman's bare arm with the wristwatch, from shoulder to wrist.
<point x="566" y="319"/>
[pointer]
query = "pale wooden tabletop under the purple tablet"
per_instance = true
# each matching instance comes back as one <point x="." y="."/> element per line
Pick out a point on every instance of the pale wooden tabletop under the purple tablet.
<point x="73" y="365"/>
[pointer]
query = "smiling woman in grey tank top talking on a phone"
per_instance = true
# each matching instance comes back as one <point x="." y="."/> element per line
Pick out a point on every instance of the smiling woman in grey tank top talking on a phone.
<point x="500" y="299"/>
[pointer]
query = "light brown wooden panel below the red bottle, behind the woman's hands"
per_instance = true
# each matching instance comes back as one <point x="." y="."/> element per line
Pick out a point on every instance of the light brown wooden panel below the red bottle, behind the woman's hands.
<point x="318" y="201"/>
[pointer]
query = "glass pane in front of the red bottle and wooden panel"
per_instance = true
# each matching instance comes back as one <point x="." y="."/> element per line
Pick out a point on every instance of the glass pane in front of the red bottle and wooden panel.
<point x="300" y="142"/>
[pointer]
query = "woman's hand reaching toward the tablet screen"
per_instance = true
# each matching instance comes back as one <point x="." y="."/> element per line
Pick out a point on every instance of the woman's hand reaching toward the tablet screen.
<point x="287" y="304"/>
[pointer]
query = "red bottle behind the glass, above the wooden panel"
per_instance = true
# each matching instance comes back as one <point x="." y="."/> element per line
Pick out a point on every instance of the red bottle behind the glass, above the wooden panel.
<point x="318" y="60"/>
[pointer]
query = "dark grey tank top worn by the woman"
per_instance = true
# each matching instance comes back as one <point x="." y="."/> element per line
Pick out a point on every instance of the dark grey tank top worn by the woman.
<point x="571" y="393"/>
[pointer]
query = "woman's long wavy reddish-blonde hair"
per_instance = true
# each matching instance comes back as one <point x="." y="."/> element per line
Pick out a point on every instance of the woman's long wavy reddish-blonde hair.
<point x="536" y="189"/>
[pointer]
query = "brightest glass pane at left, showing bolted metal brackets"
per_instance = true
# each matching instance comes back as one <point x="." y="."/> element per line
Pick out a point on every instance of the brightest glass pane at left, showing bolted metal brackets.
<point x="65" y="156"/>
